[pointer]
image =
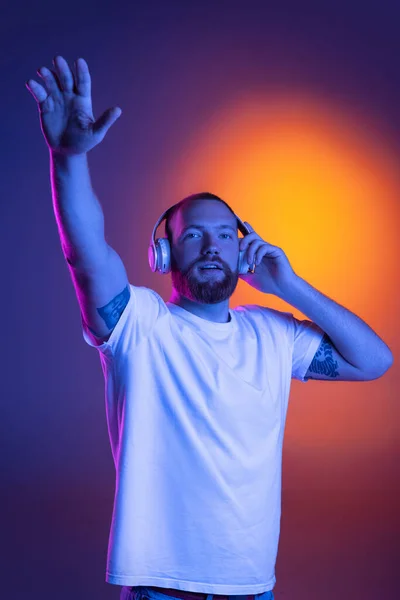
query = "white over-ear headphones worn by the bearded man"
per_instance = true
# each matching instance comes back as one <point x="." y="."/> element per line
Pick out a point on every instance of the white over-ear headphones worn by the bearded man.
<point x="159" y="251"/>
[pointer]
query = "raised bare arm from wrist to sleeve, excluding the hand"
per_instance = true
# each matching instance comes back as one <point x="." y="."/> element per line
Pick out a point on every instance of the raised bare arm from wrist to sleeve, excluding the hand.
<point x="98" y="273"/>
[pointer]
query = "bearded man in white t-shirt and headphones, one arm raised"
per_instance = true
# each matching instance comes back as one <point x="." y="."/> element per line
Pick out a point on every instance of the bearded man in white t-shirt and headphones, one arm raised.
<point x="196" y="392"/>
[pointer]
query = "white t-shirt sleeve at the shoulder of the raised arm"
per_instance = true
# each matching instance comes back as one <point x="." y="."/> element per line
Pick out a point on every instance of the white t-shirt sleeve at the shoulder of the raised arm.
<point x="135" y="323"/>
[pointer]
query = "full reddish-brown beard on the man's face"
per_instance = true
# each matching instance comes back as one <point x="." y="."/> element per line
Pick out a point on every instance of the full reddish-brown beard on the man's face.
<point x="204" y="289"/>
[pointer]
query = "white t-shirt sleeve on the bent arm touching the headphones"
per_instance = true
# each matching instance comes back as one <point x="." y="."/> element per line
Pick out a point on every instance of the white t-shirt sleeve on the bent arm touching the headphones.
<point x="306" y="337"/>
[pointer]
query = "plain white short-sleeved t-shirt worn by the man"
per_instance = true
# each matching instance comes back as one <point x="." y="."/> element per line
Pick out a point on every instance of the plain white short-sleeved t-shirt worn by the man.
<point x="196" y="413"/>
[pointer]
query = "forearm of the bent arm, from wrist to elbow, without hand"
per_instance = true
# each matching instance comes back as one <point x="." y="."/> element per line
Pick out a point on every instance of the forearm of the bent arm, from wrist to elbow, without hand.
<point x="352" y="337"/>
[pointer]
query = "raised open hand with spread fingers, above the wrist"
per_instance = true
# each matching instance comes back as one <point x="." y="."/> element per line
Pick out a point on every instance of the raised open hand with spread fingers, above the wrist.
<point x="65" y="108"/>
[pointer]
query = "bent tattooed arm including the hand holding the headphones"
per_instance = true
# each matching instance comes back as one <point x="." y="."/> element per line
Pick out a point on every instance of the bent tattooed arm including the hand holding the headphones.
<point x="352" y="338"/>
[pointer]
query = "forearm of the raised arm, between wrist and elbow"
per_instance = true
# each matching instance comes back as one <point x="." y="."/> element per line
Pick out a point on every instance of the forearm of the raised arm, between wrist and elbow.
<point x="77" y="211"/>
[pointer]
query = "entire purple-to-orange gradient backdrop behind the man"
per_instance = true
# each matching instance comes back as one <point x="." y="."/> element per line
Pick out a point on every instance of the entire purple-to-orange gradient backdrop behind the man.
<point x="291" y="114"/>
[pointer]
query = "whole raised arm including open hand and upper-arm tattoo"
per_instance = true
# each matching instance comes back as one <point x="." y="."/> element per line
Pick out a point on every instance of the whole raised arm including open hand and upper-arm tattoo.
<point x="70" y="130"/>
